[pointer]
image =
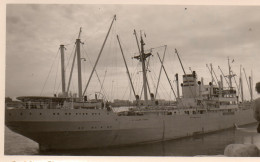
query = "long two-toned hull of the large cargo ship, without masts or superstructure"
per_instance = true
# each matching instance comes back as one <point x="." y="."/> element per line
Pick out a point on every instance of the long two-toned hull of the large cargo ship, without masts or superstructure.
<point x="101" y="128"/>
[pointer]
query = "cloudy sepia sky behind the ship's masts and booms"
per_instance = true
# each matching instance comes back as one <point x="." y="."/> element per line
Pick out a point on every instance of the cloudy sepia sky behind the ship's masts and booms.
<point x="201" y="34"/>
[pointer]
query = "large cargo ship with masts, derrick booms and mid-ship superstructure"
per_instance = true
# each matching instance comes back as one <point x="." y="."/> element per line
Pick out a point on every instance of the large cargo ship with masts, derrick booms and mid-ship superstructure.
<point x="75" y="122"/>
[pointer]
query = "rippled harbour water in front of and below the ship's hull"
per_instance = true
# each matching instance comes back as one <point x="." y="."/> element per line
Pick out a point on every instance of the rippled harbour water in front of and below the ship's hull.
<point x="207" y="144"/>
